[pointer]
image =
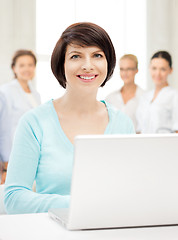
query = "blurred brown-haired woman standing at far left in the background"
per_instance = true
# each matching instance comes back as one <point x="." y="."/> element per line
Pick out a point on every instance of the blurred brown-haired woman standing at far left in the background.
<point x="16" y="98"/>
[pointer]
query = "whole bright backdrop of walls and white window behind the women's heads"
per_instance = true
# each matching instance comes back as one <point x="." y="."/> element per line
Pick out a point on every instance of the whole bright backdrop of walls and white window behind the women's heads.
<point x="139" y="27"/>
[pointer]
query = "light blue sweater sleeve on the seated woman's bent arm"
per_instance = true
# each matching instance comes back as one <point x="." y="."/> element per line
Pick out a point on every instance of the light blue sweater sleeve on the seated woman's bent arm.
<point x="22" y="169"/>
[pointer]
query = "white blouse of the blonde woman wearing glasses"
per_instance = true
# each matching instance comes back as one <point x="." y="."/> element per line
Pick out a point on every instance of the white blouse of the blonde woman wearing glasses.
<point x="115" y="98"/>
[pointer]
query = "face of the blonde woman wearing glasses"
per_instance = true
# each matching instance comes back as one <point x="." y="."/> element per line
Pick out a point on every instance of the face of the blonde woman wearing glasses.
<point x="128" y="69"/>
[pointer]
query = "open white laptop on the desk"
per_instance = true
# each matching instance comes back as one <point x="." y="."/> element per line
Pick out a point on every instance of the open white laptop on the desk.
<point x="122" y="181"/>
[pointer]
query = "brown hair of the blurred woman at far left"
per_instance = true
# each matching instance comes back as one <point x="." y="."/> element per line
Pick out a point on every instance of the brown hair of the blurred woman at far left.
<point x="19" y="53"/>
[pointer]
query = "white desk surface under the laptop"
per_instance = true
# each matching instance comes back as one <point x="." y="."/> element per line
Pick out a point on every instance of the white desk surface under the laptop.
<point x="41" y="227"/>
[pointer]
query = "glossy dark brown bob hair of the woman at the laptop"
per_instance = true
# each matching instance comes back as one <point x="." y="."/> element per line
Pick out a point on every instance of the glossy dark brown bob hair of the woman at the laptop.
<point x="82" y="34"/>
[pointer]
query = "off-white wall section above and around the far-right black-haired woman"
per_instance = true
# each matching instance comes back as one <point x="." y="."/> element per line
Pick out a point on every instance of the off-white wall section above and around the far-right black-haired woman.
<point x="162" y="33"/>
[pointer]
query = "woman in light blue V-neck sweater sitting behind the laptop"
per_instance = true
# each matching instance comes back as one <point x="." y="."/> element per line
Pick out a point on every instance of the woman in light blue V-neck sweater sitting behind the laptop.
<point x="82" y="61"/>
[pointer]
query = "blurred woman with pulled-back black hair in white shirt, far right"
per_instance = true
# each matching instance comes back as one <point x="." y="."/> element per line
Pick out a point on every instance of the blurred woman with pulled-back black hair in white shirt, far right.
<point x="158" y="109"/>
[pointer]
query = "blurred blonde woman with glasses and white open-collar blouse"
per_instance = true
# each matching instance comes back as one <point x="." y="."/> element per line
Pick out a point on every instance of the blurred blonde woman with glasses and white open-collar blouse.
<point x="126" y="99"/>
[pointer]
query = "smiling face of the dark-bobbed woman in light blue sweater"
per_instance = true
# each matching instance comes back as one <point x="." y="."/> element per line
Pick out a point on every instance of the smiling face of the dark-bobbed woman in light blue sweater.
<point x="85" y="67"/>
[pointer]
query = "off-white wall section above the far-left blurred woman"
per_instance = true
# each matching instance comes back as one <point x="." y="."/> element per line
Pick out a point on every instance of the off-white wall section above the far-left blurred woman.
<point x="17" y="30"/>
